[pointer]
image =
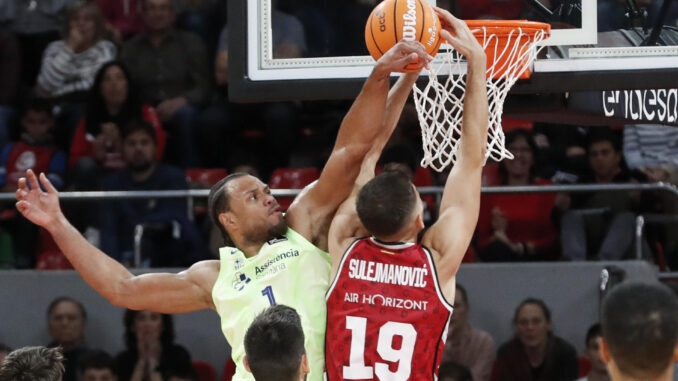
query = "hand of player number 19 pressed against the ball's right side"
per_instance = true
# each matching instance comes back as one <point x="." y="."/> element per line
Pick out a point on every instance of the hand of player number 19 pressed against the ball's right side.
<point x="457" y="33"/>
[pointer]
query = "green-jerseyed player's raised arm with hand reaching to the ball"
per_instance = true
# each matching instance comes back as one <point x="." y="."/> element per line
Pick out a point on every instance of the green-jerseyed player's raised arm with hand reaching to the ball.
<point x="314" y="207"/>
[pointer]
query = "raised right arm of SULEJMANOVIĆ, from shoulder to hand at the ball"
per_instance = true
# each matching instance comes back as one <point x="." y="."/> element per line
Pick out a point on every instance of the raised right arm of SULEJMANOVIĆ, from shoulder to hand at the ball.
<point x="460" y="203"/>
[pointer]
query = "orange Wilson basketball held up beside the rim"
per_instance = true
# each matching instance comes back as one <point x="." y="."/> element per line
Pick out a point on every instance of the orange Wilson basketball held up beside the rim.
<point x="395" y="20"/>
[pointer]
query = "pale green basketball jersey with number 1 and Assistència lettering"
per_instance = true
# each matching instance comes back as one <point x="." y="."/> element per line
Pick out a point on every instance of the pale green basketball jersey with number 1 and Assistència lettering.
<point x="290" y="271"/>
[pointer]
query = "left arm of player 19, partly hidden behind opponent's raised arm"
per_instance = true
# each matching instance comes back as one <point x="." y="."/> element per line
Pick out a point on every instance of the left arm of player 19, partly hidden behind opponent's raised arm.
<point x="345" y="225"/>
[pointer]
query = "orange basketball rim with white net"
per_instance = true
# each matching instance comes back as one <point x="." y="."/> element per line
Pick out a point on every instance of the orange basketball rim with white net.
<point x="510" y="47"/>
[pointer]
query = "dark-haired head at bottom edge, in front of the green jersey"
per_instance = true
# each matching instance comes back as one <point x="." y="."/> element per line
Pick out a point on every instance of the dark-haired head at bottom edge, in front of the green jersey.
<point x="274" y="346"/>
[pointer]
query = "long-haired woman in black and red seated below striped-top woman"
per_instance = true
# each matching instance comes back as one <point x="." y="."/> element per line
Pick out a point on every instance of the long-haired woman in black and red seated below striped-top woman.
<point x="97" y="146"/>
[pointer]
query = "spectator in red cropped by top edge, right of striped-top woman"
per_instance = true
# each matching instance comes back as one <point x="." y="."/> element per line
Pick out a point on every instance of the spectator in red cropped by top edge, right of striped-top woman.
<point x="123" y="17"/>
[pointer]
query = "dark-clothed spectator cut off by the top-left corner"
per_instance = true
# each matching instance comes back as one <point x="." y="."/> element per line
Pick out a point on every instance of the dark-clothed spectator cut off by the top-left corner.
<point x="35" y="24"/>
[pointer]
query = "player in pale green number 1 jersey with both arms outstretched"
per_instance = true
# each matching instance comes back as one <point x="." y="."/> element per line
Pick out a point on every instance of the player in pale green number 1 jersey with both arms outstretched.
<point x="274" y="258"/>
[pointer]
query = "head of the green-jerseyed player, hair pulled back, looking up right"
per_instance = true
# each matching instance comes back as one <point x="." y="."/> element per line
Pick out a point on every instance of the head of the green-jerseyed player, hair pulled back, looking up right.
<point x="242" y="206"/>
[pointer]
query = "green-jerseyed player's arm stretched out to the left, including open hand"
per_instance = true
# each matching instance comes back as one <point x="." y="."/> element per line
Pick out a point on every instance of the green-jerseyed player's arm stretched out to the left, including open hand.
<point x="187" y="291"/>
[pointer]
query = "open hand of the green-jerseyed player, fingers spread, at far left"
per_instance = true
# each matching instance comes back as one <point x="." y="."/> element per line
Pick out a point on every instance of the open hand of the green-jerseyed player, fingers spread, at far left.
<point x="41" y="208"/>
